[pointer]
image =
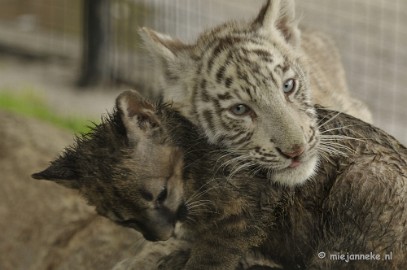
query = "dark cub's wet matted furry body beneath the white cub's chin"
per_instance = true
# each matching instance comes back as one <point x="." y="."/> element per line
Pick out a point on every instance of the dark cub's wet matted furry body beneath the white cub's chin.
<point x="355" y="204"/>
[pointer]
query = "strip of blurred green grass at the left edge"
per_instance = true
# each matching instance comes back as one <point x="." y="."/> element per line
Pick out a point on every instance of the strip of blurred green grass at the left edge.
<point x="31" y="104"/>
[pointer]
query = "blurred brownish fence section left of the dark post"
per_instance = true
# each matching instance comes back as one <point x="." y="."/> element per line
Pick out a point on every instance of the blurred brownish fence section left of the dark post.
<point x="46" y="28"/>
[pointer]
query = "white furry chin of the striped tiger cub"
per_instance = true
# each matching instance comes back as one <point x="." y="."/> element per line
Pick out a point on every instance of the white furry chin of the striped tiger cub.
<point x="297" y="173"/>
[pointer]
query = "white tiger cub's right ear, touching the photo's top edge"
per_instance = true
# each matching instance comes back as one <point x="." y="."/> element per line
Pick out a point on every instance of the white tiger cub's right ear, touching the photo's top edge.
<point x="280" y="15"/>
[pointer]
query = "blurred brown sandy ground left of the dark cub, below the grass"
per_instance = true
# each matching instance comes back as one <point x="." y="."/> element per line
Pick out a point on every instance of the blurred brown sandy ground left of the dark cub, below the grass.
<point x="44" y="225"/>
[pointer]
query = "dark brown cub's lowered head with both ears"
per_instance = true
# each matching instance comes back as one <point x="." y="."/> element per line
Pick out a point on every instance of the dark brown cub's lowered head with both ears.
<point x="127" y="168"/>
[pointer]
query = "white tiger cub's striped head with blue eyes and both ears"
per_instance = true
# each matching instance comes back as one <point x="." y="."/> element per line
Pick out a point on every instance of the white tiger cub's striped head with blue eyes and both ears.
<point x="246" y="85"/>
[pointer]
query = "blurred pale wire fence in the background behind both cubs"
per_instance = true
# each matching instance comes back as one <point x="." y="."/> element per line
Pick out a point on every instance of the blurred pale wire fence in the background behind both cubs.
<point x="371" y="36"/>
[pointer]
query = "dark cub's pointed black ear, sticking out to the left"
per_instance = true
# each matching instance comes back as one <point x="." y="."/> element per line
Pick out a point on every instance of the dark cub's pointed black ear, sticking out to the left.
<point x="62" y="171"/>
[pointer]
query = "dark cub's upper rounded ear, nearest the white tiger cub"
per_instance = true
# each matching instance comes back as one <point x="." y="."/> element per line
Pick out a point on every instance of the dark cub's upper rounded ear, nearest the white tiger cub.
<point x="138" y="115"/>
